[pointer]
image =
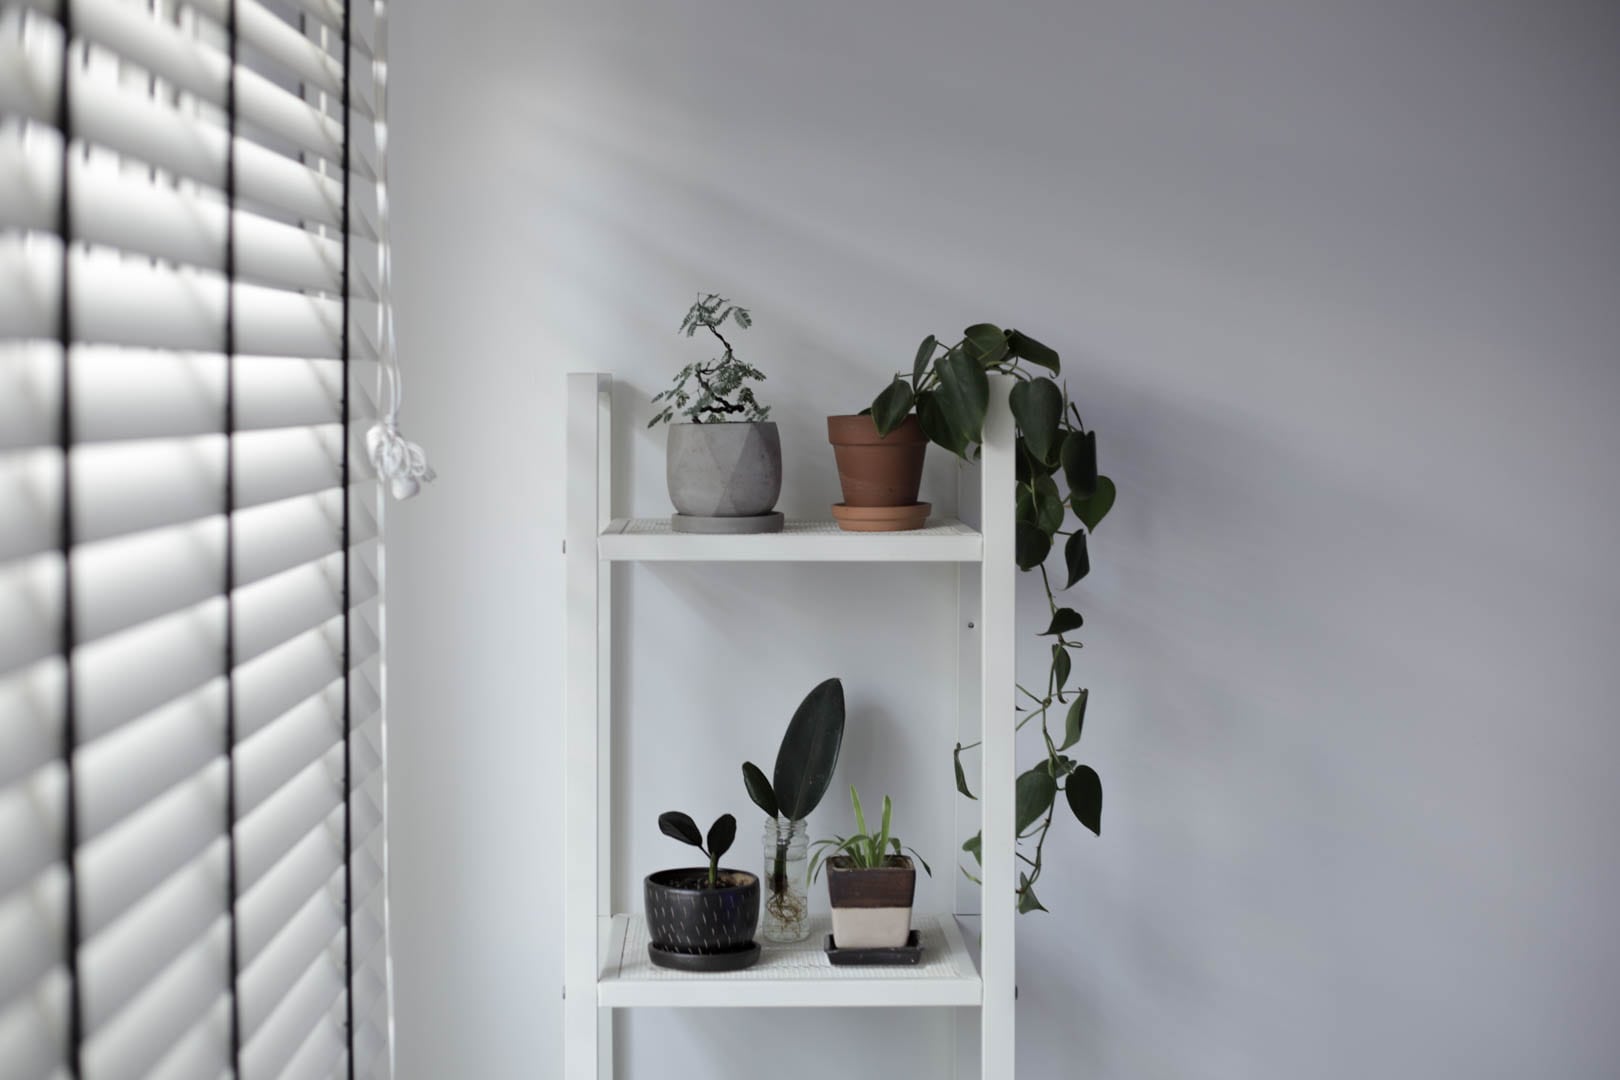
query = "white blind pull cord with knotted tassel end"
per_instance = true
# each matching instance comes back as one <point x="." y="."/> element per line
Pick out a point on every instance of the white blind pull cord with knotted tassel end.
<point x="403" y="462"/>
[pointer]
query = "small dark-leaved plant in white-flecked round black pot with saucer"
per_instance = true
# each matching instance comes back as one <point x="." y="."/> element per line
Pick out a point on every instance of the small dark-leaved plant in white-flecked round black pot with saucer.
<point x="702" y="919"/>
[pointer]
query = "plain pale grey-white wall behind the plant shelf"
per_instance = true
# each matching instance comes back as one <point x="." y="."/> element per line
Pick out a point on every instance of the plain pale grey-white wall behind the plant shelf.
<point x="1337" y="284"/>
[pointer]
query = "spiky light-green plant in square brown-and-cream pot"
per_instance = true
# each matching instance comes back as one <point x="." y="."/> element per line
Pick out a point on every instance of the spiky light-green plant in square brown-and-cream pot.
<point x="871" y="883"/>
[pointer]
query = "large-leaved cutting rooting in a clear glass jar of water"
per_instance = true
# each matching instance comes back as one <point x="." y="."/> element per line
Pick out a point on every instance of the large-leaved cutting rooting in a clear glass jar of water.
<point x="804" y="770"/>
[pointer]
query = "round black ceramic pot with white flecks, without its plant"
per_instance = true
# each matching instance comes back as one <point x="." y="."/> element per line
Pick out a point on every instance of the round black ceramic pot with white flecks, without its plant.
<point x="688" y="919"/>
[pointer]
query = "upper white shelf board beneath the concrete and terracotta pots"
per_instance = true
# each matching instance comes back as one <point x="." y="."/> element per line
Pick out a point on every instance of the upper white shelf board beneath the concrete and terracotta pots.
<point x="652" y="540"/>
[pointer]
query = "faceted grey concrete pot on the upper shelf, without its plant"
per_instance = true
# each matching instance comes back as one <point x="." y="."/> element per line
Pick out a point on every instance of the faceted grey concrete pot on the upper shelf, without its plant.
<point x="725" y="470"/>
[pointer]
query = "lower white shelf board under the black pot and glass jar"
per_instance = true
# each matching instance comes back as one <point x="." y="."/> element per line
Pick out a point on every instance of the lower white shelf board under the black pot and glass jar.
<point x="796" y="976"/>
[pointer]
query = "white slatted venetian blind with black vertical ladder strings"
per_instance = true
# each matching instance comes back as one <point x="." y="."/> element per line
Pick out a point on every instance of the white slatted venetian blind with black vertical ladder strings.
<point x="192" y="746"/>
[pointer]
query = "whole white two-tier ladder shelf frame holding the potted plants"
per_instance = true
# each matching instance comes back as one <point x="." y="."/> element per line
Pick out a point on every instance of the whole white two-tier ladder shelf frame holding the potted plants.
<point x="605" y="964"/>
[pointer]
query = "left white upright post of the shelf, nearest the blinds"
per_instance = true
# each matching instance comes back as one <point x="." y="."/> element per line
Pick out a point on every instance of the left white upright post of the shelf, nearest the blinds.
<point x="587" y="728"/>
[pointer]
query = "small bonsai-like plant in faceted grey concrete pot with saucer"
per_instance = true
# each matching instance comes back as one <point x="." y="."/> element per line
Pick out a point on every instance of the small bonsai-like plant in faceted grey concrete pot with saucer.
<point x="725" y="464"/>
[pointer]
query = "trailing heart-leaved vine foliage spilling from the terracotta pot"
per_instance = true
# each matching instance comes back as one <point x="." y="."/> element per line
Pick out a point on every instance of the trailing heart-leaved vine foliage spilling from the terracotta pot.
<point x="949" y="389"/>
